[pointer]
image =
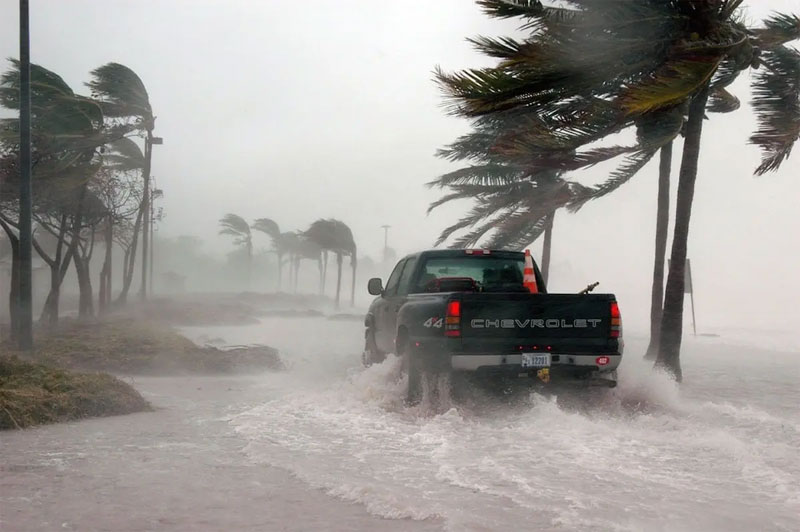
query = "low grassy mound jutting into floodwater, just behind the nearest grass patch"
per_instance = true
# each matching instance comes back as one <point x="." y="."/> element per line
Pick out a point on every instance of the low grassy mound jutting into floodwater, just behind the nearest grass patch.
<point x="143" y="348"/>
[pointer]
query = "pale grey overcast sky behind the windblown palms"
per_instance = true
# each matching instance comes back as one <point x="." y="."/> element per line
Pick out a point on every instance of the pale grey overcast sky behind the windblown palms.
<point x="300" y="110"/>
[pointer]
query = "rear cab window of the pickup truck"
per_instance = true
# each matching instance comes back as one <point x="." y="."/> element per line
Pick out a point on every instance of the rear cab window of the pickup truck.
<point x="491" y="274"/>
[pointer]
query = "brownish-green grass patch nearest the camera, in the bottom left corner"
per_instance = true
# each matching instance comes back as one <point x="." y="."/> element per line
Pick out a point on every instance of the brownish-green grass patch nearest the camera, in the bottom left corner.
<point x="34" y="394"/>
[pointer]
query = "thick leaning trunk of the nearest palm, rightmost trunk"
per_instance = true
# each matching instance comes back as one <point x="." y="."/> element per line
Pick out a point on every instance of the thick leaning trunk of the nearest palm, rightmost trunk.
<point x="672" y="316"/>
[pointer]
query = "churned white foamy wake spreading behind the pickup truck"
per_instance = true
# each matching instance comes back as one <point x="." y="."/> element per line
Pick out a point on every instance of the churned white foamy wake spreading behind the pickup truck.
<point x="650" y="455"/>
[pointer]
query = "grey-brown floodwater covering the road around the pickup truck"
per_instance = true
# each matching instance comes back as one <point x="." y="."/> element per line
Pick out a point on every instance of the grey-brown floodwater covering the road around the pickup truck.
<point x="328" y="445"/>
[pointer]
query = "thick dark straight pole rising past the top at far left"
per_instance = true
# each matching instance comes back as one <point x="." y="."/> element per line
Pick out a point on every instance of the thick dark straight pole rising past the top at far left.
<point x="25" y="288"/>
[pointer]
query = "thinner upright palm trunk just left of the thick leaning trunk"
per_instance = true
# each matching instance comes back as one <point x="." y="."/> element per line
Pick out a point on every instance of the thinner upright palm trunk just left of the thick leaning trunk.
<point x="662" y="232"/>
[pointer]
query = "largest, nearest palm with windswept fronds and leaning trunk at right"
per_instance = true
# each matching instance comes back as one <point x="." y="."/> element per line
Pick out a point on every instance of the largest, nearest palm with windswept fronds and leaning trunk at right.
<point x="596" y="68"/>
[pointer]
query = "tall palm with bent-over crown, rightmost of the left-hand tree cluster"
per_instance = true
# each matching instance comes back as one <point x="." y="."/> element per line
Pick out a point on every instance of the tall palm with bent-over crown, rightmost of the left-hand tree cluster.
<point x="122" y="94"/>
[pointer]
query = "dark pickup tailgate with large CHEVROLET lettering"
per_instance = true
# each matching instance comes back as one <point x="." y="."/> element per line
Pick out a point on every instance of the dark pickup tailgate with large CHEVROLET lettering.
<point x="575" y="322"/>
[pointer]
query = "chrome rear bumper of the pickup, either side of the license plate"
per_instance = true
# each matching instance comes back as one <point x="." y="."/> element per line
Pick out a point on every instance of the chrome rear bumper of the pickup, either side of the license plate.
<point x="512" y="363"/>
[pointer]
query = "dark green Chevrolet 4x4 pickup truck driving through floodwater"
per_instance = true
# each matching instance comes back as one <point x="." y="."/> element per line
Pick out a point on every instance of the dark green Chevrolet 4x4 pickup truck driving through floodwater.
<point x="470" y="311"/>
